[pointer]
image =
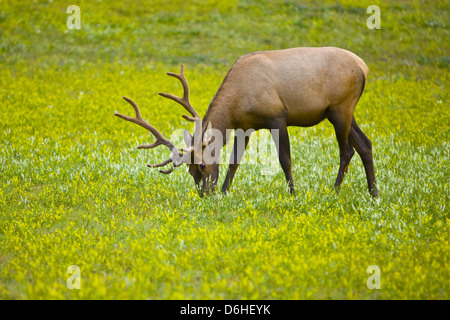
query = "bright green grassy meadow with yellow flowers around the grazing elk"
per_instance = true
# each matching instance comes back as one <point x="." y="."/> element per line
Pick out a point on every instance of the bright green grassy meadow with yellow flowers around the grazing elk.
<point x="74" y="189"/>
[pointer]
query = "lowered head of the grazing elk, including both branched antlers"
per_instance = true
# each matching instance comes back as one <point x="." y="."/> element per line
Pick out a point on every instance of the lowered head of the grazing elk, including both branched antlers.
<point x="204" y="171"/>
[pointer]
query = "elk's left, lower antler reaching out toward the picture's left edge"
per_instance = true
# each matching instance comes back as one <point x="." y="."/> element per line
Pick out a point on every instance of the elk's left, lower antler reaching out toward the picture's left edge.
<point x="177" y="158"/>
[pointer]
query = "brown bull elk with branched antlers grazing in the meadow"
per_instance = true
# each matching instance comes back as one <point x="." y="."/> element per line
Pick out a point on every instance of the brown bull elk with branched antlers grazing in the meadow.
<point x="273" y="90"/>
